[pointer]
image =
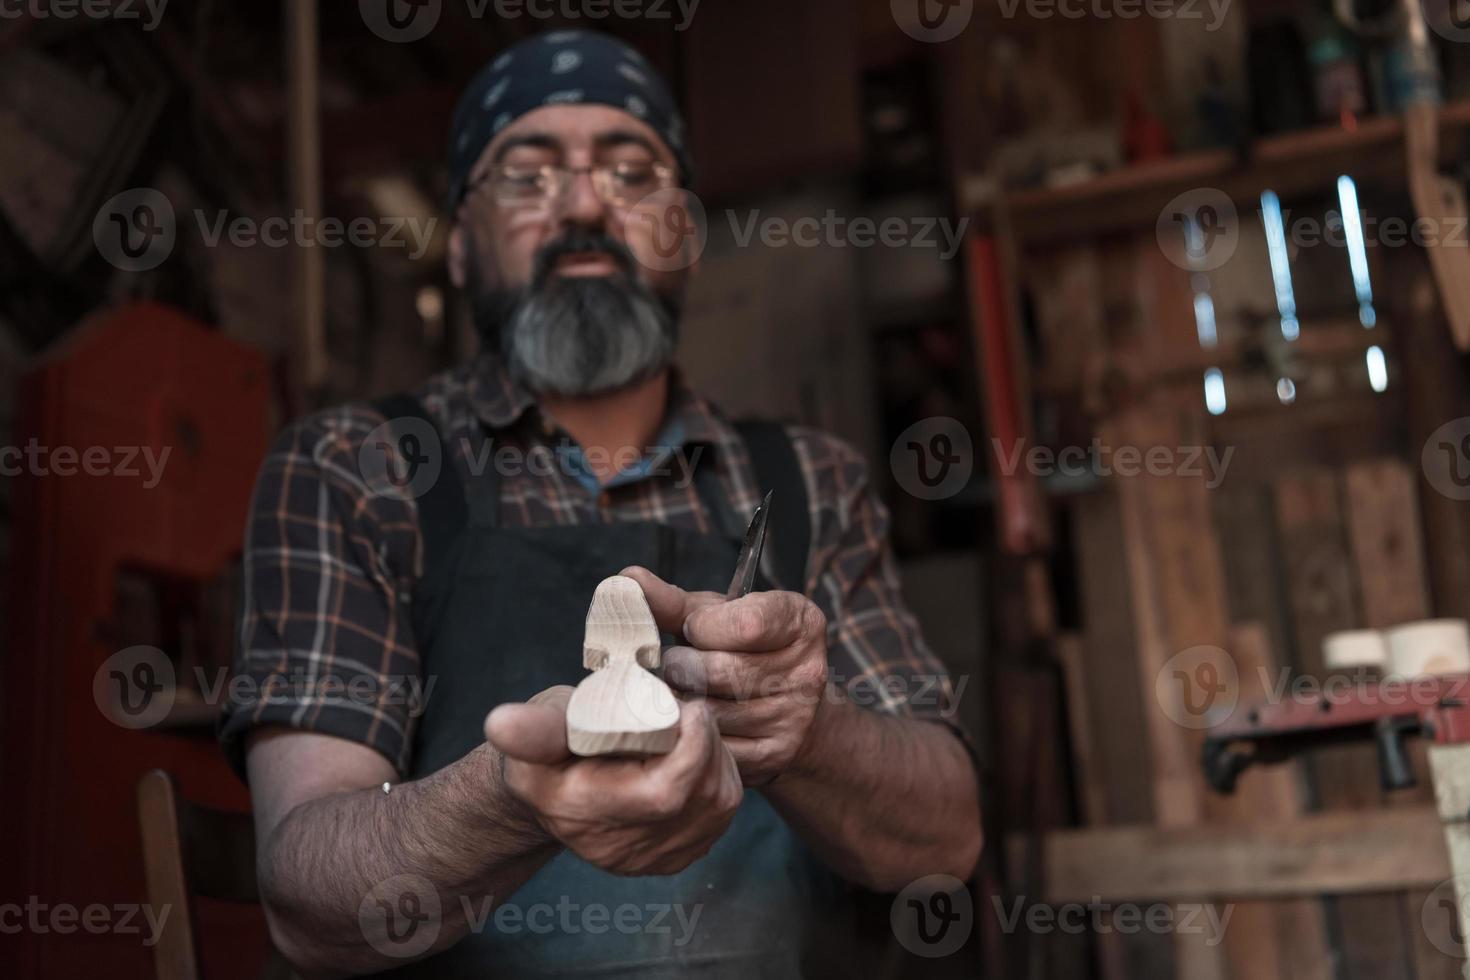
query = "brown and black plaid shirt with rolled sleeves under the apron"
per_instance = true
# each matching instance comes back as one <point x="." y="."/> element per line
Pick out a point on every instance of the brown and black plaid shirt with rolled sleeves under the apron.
<point x="330" y="559"/>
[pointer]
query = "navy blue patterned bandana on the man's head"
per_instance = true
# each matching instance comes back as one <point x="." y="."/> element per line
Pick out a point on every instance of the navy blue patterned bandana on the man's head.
<point x="562" y="68"/>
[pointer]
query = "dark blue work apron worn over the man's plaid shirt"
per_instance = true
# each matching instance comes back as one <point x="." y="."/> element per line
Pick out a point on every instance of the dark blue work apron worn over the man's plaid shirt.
<point x="501" y="618"/>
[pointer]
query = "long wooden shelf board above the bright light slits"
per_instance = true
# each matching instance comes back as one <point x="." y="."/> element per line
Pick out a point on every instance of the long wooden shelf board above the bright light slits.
<point x="1131" y="199"/>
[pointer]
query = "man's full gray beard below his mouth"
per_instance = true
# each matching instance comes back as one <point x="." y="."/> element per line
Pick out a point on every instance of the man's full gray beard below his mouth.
<point x="580" y="336"/>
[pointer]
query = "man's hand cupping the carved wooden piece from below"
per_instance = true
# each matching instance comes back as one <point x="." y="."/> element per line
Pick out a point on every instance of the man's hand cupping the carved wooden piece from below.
<point x="627" y="816"/>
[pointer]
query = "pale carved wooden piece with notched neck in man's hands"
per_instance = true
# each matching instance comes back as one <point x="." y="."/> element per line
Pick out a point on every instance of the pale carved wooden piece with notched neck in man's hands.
<point x="621" y="709"/>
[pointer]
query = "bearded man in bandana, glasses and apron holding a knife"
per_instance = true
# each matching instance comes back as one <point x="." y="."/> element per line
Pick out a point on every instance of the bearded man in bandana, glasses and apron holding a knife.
<point x="404" y="581"/>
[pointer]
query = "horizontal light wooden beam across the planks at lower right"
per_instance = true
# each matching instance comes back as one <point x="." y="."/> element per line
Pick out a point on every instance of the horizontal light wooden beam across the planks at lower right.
<point x="1331" y="853"/>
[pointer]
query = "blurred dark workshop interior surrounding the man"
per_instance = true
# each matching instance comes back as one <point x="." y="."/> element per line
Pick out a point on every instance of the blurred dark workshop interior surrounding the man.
<point x="1149" y="318"/>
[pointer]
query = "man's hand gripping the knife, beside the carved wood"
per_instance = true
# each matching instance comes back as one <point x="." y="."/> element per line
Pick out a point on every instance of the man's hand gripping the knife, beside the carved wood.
<point x="761" y="662"/>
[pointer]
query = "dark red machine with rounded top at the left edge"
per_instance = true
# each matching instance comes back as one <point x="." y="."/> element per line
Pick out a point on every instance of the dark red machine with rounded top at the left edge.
<point x="137" y="377"/>
